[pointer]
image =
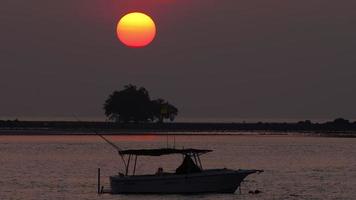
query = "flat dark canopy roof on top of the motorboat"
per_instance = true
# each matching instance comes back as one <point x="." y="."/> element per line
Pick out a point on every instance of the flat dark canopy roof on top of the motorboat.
<point x="163" y="151"/>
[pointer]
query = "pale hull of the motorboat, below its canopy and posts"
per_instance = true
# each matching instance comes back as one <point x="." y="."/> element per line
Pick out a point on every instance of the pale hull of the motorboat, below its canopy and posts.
<point x="207" y="181"/>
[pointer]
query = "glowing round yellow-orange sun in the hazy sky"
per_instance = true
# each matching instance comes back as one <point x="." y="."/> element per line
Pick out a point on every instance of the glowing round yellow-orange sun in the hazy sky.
<point x="136" y="30"/>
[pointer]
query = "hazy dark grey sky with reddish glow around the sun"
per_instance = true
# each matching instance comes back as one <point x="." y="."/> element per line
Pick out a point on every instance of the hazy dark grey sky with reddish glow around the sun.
<point x="247" y="59"/>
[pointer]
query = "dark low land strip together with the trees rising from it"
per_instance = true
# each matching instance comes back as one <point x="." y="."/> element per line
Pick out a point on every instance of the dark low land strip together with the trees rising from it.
<point x="132" y="111"/>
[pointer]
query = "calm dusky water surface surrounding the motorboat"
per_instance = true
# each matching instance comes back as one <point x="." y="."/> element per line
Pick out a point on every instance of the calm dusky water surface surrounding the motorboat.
<point x="64" y="167"/>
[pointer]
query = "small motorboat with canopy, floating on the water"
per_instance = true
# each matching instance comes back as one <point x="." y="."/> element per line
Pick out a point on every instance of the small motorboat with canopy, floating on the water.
<point x="188" y="178"/>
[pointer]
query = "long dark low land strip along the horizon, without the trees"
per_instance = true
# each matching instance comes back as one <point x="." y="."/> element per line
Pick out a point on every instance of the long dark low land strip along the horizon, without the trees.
<point x="338" y="127"/>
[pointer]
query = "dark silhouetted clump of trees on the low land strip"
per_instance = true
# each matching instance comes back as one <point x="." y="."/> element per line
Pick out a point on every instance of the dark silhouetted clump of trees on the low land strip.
<point x="133" y="104"/>
